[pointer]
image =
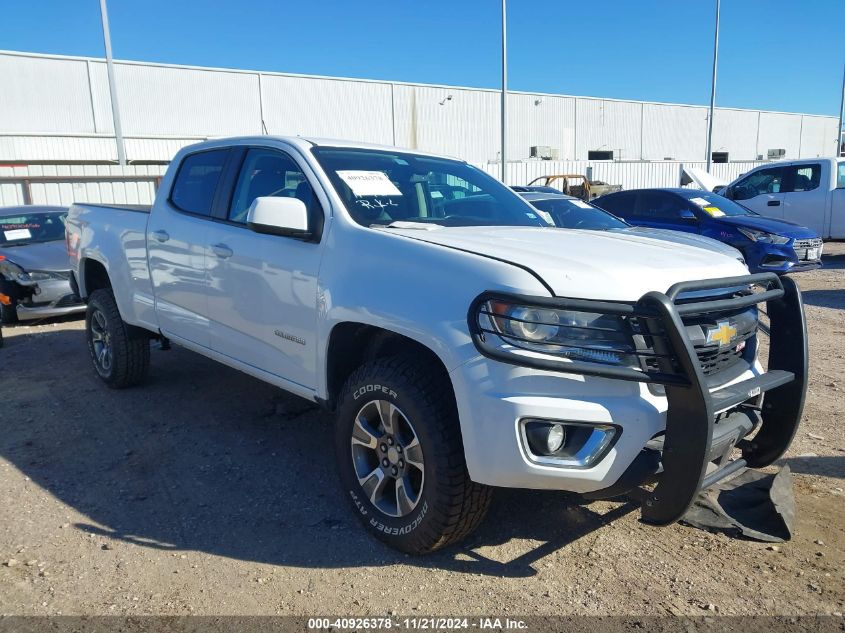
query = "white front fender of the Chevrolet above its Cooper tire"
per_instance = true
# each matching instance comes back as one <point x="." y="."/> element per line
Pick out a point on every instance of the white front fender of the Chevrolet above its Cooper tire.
<point x="413" y="288"/>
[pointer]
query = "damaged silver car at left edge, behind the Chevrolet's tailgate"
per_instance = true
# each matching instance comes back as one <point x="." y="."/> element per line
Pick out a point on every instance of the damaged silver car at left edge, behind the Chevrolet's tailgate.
<point x="34" y="265"/>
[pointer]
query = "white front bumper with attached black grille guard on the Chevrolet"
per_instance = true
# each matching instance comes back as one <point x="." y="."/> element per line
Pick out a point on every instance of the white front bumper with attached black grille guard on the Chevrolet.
<point x="671" y="424"/>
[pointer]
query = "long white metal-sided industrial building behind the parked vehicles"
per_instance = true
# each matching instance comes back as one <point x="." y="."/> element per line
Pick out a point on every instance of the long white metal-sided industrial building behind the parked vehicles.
<point x="56" y="111"/>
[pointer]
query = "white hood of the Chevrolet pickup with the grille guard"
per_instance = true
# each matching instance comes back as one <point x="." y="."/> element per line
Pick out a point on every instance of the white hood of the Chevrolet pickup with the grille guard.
<point x="587" y="264"/>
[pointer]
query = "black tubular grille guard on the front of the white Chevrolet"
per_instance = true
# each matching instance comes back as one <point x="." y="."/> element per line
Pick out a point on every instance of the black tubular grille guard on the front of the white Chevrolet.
<point x="692" y="406"/>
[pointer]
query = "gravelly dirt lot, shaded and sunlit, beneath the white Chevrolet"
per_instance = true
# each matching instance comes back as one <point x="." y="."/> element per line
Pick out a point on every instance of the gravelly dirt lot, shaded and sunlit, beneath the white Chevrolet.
<point x="209" y="492"/>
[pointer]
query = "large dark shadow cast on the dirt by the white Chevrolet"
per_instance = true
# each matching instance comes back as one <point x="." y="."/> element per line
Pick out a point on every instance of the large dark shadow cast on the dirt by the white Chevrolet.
<point x="205" y="458"/>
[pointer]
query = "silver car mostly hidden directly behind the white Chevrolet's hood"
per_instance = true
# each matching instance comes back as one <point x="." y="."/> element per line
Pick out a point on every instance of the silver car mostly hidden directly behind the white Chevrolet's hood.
<point x="573" y="213"/>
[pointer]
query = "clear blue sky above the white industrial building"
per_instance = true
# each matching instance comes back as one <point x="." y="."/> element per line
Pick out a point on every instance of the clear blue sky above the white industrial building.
<point x="774" y="54"/>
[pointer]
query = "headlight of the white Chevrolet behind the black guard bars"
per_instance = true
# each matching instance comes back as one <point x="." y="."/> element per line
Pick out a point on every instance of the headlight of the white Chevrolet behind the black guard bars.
<point x="582" y="336"/>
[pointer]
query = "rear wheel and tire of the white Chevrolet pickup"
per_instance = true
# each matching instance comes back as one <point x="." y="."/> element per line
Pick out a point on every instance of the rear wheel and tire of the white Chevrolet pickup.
<point x="120" y="352"/>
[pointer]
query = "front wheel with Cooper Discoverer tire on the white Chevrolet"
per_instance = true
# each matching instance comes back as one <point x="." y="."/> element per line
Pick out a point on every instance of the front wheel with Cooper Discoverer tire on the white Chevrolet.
<point x="400" y="457"/>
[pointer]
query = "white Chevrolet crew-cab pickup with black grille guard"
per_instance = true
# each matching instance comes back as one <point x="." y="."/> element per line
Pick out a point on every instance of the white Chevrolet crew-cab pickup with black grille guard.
<point x="461" y="342"/>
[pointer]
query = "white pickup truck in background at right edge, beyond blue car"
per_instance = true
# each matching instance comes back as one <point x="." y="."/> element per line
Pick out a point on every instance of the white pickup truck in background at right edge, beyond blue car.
<point x="809" y="192"/>
